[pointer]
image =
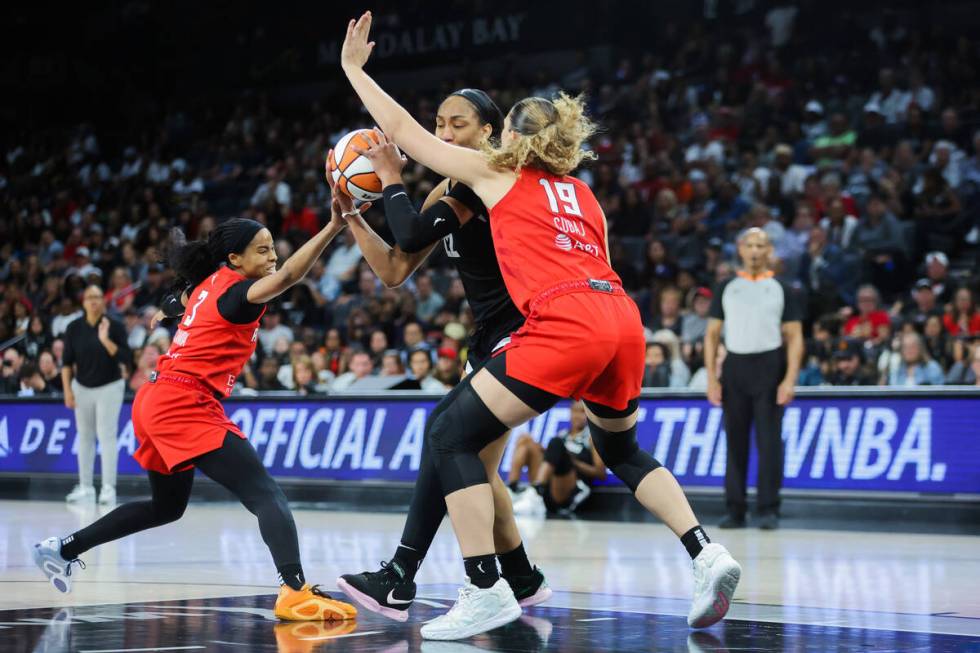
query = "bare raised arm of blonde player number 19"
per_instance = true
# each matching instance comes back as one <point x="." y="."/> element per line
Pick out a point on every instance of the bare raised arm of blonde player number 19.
<point x="459" y="163"/>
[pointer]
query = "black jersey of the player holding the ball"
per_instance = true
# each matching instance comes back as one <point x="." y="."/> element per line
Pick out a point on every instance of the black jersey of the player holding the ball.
<point x="470" y="249"/>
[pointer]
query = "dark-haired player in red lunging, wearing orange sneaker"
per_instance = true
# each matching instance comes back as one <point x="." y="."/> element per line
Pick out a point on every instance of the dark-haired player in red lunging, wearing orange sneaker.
<point x="181" y="425"/>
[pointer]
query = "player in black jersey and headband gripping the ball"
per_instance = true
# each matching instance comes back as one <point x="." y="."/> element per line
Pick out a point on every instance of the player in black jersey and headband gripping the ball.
<point x="466" y="118"/>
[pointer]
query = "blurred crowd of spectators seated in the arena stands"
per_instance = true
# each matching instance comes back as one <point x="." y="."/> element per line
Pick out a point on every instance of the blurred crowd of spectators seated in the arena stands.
<point x="867" y="183"/>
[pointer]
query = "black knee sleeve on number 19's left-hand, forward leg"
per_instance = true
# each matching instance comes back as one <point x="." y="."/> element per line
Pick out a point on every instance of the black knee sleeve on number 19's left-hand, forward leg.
<point x="456" y="438"/>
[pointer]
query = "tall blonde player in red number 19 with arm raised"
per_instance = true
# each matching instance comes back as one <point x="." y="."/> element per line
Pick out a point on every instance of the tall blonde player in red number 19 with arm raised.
<point x="583" y="338"/>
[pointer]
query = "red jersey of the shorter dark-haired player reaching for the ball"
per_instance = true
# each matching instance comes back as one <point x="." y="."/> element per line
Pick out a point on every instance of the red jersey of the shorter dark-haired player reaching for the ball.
<point x="207" y="346"/>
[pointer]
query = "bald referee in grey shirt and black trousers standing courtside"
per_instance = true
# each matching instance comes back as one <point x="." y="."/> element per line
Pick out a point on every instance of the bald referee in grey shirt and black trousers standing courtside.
<point x="758" y="313"/>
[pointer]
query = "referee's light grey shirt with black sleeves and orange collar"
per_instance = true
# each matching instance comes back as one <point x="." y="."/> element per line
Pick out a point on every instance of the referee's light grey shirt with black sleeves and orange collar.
<point x="754" y="309"/>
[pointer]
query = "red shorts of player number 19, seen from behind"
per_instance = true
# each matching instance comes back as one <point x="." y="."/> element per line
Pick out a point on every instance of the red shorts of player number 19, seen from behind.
<point x="585" y="345"/>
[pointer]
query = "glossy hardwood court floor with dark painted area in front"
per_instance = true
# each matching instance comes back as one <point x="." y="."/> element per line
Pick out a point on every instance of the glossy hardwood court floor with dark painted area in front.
<point x="206" y="583"/>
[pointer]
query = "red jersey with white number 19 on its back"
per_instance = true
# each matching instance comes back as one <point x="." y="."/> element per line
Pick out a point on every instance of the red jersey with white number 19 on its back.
<point x="548" y="230"/>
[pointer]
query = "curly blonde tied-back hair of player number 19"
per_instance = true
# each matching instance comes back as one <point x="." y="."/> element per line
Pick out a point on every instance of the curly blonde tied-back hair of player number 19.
<point x="550" y="134"/>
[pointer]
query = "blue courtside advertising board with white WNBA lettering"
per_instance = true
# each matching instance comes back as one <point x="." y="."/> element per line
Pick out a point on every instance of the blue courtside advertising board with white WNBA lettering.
<point x="880" y="443"/>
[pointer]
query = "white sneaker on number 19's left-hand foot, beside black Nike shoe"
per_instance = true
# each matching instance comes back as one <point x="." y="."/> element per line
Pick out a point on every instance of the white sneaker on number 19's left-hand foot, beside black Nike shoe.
<point x="475" y="611"/>
